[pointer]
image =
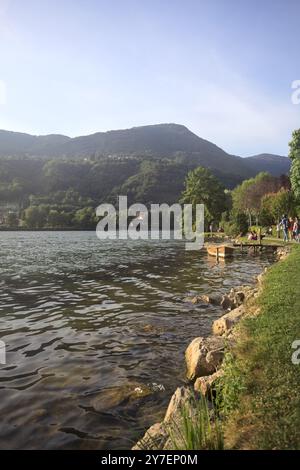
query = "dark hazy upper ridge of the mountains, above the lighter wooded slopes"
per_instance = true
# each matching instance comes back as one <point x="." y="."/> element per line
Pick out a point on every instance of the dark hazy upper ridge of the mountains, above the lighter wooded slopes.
<point x="160" y="141"/>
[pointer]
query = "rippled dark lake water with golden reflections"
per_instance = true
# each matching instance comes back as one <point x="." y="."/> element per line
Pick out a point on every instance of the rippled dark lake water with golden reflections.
<point x="95" y="333"/>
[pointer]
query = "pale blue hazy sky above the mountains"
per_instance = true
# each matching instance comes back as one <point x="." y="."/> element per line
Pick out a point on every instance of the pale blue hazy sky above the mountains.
<point x="223" y="68"/>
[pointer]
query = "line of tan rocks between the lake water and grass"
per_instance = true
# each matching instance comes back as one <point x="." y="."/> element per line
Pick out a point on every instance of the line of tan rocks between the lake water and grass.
<point x="204" y="358"/>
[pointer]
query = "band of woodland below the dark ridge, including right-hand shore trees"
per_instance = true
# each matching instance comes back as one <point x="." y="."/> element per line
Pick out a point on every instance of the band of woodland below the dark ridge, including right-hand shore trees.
<point x="64" y="194"/>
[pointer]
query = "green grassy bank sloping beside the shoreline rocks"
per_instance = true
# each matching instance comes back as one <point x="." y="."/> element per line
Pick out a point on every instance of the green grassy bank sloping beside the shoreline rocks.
<point x="261" y="386"/>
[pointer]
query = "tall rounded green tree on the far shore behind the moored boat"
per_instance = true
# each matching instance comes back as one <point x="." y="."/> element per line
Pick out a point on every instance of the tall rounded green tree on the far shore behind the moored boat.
<point x="202" y="187"/>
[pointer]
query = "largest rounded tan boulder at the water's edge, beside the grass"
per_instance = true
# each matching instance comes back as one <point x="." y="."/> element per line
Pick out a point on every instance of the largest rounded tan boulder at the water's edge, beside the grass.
<point x="203" y="356"/>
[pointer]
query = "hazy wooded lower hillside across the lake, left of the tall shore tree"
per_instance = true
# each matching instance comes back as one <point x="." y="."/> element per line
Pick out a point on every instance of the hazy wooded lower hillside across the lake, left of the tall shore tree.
<point x="65" y="193"/>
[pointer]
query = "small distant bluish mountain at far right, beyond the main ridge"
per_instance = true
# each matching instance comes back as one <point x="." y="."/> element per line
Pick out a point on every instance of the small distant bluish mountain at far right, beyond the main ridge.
<point x="276" y="165"/>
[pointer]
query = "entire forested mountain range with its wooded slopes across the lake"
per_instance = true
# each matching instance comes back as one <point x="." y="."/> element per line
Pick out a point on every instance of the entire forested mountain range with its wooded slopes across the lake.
<point x="60" y="180"/>
